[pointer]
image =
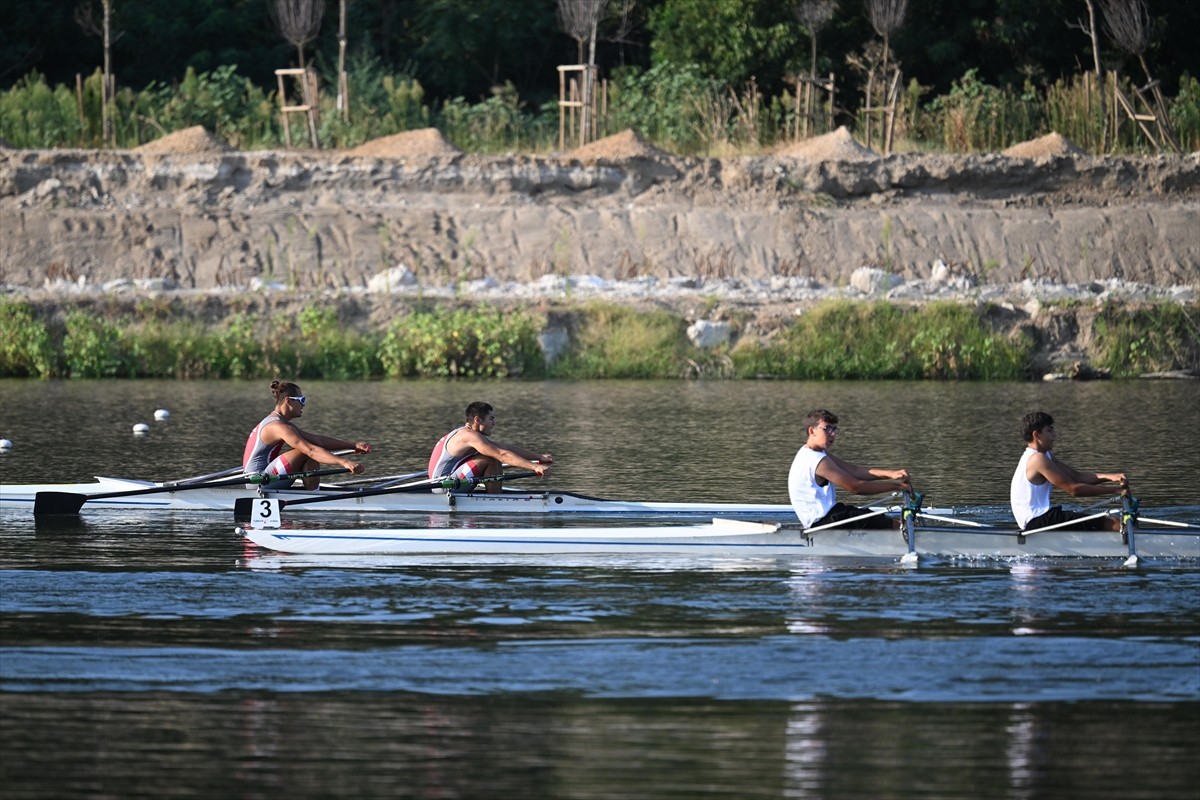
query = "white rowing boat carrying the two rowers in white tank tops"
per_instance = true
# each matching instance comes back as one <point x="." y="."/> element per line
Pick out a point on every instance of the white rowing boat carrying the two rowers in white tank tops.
<point x="734" y="538"/>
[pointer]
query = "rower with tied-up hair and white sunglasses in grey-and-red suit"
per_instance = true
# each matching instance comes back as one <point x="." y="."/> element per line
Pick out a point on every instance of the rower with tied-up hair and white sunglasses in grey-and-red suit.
<point x="265" y="448"/>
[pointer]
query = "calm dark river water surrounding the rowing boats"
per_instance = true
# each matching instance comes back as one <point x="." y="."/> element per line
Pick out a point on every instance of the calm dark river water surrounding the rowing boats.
<point x="163" y="657"/>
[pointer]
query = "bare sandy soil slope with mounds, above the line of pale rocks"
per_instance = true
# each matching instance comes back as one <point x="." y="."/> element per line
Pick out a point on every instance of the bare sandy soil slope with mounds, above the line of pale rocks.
<point x="190" y="213"/>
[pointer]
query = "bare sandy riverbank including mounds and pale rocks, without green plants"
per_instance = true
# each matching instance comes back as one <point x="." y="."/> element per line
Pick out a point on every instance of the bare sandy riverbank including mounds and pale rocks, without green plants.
<point x="1040" y="243"/>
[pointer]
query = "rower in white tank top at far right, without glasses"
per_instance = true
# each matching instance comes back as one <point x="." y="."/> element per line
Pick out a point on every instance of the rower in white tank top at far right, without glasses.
<point x="1039" y="471"/>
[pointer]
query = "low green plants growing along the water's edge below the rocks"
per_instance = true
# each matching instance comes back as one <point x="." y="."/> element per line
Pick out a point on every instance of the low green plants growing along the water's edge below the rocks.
<point x="838" y="340"/>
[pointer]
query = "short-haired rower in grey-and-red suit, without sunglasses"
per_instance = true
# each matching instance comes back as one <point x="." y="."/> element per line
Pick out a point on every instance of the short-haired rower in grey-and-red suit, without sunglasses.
<point x="469" y="453"/>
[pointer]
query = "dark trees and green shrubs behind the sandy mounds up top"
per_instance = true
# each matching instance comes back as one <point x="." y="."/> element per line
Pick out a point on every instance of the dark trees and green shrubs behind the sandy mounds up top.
<point x="692" y="76"/>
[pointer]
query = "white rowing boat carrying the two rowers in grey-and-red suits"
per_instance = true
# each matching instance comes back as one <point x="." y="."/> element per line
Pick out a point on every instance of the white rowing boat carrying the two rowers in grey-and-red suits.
<point x="509" y="502"/>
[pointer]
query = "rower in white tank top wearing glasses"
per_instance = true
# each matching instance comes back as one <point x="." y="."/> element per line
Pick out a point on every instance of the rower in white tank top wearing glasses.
<point x="817" y="473"/>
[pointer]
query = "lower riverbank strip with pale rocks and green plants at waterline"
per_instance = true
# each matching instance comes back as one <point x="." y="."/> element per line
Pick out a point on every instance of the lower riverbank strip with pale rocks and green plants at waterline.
<point x="595" y="332"/>
